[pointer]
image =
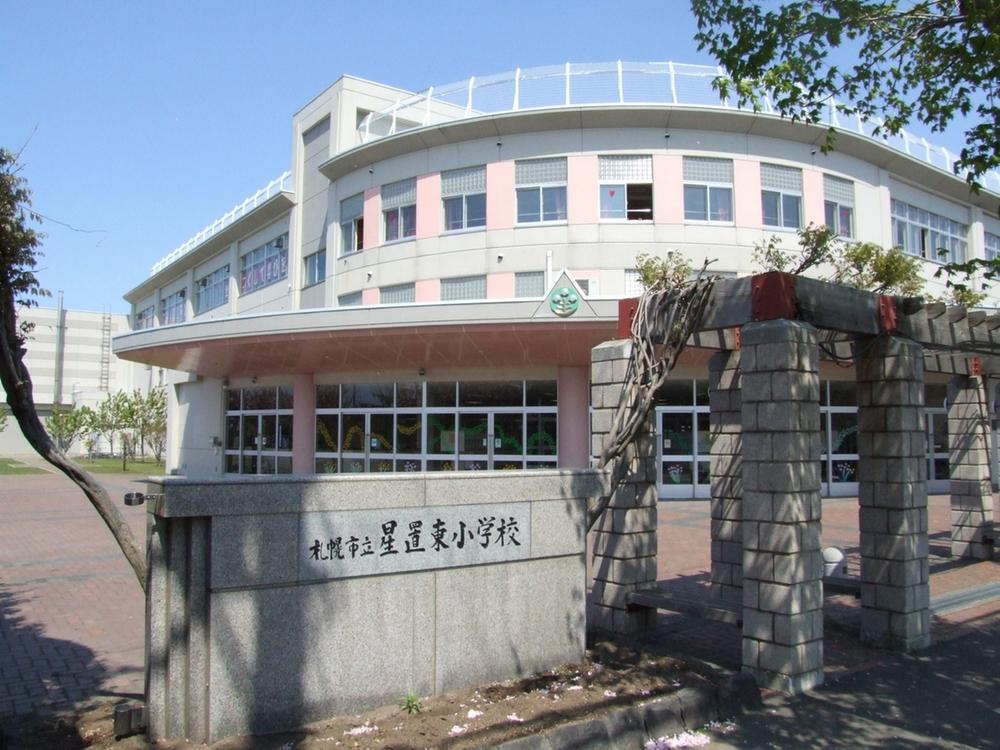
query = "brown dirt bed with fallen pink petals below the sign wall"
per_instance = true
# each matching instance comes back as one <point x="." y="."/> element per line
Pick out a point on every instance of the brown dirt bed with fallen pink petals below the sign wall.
<point x="612" y="676"/>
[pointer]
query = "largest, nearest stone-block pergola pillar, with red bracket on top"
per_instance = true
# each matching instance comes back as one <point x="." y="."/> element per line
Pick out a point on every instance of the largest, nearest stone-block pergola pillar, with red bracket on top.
<point x="782" y="562"/>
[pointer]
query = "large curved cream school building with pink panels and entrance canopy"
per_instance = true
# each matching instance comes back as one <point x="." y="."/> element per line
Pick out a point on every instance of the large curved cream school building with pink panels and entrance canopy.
<point x="421" y="291"/>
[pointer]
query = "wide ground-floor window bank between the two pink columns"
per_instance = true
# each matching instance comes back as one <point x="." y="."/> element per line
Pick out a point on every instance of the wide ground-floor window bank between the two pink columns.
<point x="436" y="426"/>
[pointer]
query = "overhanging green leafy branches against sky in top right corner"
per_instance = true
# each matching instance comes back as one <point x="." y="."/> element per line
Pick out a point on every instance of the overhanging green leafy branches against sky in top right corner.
<point x="902" y="60"/>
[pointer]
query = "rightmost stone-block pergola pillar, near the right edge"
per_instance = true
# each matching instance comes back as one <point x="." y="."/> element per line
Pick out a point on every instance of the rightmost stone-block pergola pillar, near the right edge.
<point x="969" y="464"/>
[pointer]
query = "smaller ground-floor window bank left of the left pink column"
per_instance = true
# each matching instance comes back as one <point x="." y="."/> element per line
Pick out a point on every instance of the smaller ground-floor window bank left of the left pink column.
<point x="259" y="430"/>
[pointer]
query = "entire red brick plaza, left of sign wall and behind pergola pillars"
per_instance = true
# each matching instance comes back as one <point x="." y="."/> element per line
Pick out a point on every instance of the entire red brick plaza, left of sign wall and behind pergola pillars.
<point x="71" y="612"/>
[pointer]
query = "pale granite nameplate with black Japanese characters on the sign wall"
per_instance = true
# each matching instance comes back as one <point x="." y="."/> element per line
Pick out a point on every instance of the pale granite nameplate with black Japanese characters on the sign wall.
<point x="346" y="544"/>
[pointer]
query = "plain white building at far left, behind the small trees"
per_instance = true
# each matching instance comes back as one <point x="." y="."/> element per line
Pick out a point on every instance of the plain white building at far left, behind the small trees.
<point x="71" y="362"/>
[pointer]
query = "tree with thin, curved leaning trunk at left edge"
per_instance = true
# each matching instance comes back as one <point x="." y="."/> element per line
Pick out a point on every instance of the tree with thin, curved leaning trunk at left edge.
<point x="19" y="252"/>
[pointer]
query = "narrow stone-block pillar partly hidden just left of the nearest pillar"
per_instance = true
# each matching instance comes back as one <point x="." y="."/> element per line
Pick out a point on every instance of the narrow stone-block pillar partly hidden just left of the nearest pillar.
<point x="727" y="474"/>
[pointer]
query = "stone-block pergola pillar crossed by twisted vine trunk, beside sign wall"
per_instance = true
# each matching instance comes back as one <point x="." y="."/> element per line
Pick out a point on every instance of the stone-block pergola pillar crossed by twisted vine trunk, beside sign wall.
<point x="624" y="540"/>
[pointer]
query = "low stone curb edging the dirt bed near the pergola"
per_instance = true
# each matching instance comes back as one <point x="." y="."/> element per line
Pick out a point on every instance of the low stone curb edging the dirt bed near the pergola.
<point x="630" y="727"/>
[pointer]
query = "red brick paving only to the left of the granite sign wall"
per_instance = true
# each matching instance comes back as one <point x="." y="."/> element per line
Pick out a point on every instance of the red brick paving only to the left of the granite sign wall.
<point x="71" y="611"/>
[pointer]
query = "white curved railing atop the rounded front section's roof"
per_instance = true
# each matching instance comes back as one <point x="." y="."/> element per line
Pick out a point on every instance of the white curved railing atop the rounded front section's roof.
<point x="618" y="82"/>
